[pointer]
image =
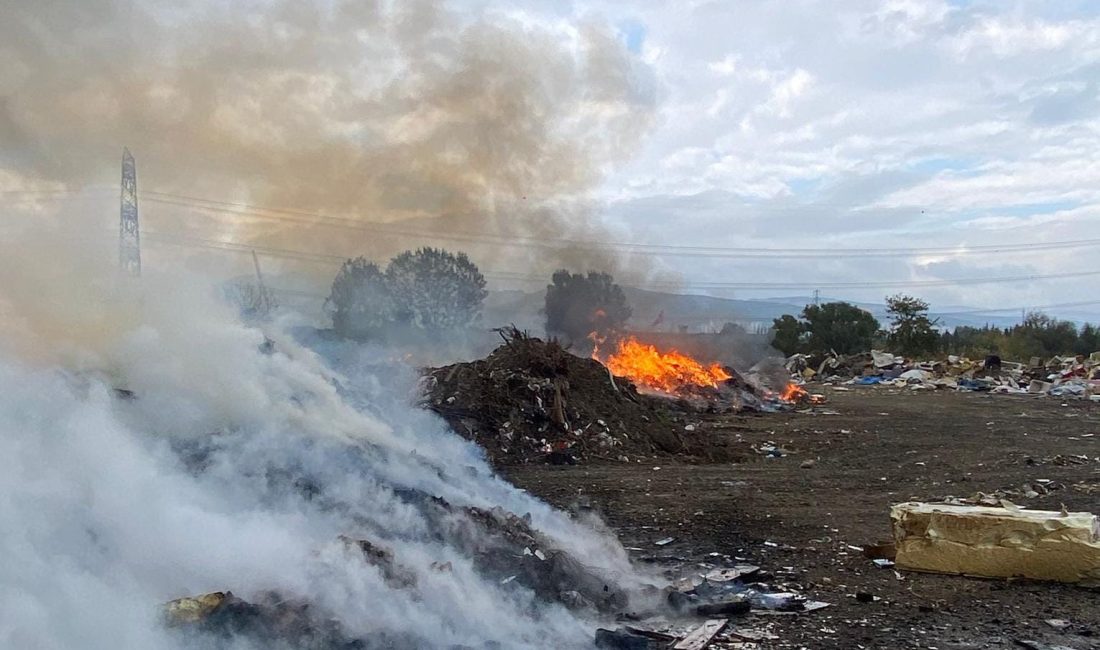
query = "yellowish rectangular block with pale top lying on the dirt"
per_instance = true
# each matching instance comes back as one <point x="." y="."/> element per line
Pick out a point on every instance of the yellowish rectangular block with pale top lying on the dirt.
<point x="998" y="543"/>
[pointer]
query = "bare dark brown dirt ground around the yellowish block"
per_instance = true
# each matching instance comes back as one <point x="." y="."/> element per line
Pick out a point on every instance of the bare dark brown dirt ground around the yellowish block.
<point x="882" y="447"/>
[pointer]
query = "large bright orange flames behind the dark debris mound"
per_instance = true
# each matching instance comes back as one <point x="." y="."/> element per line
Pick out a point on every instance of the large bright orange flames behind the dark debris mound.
<point x="668" y="372"/>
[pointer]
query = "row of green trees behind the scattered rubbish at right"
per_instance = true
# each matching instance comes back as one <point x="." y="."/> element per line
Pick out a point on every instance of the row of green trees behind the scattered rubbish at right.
<point x="848" y="329"/>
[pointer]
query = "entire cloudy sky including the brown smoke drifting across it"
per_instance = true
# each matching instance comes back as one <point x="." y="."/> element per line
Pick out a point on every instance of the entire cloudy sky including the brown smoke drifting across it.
<point x="743" y="149"/>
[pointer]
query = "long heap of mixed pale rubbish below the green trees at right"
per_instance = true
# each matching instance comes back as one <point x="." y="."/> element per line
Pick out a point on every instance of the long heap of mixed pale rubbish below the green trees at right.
<point x="1060" y="377"/>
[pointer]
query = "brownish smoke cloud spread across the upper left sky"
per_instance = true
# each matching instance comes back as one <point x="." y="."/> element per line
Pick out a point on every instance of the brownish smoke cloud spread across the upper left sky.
<point x="406" y="113"/>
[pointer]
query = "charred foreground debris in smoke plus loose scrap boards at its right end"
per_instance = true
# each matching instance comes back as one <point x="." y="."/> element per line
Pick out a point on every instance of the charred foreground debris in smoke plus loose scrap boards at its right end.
<point x="695" y="612"/>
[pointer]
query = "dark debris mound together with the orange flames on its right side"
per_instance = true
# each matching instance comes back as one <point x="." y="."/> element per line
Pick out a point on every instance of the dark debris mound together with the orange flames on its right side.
<point x="533" y="401"/>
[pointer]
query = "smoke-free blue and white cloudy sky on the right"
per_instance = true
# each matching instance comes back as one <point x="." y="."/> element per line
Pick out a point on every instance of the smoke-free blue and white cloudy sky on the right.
<point x="895" y="125"/>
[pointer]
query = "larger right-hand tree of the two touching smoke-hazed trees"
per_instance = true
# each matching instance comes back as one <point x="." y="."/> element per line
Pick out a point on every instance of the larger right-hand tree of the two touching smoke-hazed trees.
<point x="435" y="290"/>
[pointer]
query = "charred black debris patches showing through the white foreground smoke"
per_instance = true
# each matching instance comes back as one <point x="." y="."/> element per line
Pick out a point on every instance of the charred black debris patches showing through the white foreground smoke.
<point x="504" y="547"/>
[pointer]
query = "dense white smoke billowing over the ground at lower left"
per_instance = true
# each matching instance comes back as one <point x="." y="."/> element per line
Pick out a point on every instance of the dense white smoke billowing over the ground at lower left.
<point x="203" y="482"/>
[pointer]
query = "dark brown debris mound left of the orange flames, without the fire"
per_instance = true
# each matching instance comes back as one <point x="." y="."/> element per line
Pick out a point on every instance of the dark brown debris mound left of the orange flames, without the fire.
<point x="532" y="401"/>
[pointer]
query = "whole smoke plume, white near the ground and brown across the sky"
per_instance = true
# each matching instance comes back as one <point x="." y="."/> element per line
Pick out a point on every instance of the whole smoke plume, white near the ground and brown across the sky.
<point x="406" y="114"/>
